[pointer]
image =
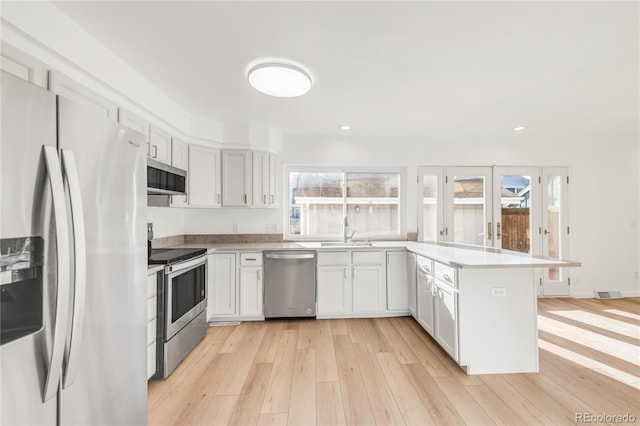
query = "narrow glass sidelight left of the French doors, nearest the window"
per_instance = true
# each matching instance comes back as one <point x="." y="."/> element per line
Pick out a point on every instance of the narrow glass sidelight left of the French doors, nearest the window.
<point x="431" y="204"/>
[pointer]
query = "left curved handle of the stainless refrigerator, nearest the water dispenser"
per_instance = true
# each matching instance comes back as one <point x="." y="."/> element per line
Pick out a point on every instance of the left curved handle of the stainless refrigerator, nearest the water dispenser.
<point x="60" y="319"/>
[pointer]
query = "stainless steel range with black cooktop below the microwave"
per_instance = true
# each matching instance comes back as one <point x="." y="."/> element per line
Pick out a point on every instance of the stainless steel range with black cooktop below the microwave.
<point x="182" y="305"/>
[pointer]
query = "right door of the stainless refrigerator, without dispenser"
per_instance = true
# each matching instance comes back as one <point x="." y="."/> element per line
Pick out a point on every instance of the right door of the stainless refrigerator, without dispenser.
<point x="110" y="384"/>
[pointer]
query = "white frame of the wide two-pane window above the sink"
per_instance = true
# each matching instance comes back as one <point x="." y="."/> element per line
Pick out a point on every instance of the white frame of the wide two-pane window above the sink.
<point x="402" y="201"/>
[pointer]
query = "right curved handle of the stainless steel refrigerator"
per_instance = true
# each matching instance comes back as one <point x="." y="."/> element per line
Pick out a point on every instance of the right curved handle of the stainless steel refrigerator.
<point x="80" y="268"/>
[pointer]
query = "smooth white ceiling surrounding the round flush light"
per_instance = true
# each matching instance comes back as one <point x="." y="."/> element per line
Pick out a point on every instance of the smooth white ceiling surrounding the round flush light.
<point x="431" y="70"/>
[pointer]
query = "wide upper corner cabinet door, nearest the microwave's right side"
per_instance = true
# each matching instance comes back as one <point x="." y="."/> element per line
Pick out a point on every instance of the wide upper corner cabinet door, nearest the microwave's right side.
<point x="204" y="176"/>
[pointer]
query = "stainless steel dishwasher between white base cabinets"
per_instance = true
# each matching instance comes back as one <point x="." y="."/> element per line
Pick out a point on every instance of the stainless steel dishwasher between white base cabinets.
<point x="289" y="284"/>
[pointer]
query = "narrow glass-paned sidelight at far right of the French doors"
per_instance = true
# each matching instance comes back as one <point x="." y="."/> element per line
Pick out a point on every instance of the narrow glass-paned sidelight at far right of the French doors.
<point x="555" y="229"/>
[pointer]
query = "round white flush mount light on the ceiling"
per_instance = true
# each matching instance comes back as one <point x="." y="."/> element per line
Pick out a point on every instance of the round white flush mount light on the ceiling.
<point x="279" y="79"/>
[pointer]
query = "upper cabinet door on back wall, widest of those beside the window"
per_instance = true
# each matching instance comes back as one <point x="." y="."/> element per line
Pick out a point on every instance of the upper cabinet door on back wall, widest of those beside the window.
<point x="236" y="178"/>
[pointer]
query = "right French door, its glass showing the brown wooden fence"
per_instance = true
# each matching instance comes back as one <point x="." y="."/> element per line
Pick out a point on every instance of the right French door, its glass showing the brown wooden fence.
<point x="516" y="210"/>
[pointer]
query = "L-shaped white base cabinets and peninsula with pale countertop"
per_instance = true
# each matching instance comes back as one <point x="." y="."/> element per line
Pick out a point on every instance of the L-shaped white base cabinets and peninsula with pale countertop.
<point x="478" y="304"/>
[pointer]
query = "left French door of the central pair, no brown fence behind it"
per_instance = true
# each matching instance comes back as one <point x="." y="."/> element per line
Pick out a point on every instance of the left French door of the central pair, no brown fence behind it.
<point x="469" y="204"/>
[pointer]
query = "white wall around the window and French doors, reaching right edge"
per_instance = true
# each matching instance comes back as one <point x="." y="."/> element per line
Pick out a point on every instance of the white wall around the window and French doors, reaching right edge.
<point x="603" y="191"/>
